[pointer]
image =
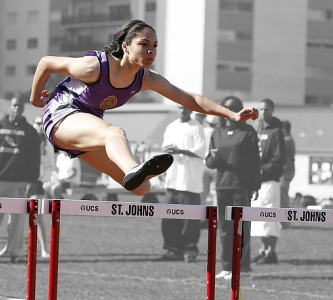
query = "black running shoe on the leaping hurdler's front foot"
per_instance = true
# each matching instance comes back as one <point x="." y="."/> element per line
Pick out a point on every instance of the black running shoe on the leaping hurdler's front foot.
<point x="155" y="166"/>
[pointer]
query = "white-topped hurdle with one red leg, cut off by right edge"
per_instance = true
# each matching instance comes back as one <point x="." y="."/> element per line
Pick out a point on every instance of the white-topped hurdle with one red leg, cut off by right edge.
<point x="238" y="214"/>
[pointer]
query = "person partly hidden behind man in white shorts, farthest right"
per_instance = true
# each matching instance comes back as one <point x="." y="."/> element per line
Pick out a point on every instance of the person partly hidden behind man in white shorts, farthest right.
<point x="289" y="167"/>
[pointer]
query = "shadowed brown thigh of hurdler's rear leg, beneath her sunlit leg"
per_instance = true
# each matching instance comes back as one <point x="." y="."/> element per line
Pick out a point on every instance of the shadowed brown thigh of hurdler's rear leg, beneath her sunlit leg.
<point x="101" y="162"/>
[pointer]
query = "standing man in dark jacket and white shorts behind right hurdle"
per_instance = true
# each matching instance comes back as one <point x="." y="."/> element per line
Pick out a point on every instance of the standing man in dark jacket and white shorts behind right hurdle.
<point x="272" y="151"/>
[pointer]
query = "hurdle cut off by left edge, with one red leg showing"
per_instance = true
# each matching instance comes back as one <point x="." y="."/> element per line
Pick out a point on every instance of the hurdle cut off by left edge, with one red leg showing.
<point x="26" y="206"/>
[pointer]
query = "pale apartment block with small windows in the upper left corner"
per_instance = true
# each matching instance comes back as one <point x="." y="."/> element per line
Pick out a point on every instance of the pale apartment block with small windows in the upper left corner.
<point x="24" y="38"/>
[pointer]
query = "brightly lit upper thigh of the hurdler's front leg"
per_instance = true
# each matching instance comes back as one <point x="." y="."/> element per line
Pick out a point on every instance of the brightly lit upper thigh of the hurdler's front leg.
<point x="81" y="131"/>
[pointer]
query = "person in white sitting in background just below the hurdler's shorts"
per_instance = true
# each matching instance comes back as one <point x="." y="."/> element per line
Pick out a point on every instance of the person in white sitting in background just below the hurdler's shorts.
<point x="68" y="174"/>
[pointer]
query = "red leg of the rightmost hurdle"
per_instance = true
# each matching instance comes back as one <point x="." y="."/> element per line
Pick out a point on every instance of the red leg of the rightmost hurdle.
<point x="236" y="252"/>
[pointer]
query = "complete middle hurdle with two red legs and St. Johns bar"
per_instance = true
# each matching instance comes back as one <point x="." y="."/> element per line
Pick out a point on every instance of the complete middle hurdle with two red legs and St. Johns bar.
<point x="128" y="209"/>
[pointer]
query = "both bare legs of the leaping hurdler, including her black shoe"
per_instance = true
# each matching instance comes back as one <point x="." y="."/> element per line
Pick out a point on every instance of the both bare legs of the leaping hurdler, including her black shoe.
<point x="81" y="131"/>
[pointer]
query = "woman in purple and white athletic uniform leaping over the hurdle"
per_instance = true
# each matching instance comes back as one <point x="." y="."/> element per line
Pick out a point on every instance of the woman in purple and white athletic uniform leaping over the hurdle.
<point x="107" y="79"/>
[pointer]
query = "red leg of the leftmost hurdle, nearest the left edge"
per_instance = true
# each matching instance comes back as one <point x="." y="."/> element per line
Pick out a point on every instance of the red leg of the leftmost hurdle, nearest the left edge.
<point x="32" y="250"/>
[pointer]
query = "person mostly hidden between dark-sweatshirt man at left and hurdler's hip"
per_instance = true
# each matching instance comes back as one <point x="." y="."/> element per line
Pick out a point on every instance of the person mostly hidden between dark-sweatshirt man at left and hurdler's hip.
<point x="47" y="167"/>
